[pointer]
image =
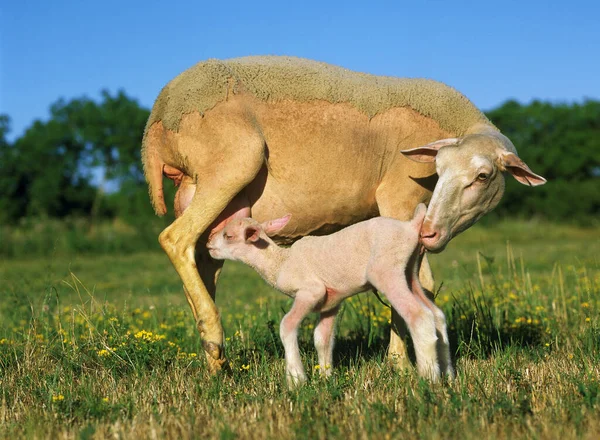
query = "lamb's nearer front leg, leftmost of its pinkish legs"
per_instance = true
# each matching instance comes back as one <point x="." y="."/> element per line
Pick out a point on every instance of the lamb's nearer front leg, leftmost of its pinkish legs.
<point x="304" y="303"/>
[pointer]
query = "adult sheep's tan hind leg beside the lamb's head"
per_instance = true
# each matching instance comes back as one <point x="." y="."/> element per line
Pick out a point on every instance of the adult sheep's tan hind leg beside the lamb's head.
<point x="179" y="239"/>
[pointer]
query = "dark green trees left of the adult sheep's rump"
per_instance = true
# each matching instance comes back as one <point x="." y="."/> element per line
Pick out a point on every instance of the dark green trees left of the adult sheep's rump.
<point x="52" y="169"/>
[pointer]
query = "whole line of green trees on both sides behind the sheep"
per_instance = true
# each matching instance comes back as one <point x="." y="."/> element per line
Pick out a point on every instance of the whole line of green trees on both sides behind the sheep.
<point x="85" y="161"/>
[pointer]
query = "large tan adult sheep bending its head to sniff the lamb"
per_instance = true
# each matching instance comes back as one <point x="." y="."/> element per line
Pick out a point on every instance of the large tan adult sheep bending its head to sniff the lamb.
<point x="268" y="136"/>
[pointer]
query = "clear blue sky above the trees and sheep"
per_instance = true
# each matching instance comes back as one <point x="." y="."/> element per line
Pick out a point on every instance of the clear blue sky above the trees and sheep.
<point x="489" y="50"/>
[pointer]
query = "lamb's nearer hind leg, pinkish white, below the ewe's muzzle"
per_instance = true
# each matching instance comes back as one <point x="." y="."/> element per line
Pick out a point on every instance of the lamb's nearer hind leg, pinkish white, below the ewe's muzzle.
<point x="417" y="316"/>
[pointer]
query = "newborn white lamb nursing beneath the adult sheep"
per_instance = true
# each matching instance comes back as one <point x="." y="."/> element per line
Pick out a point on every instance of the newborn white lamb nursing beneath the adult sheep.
<point x="320" y="272"/>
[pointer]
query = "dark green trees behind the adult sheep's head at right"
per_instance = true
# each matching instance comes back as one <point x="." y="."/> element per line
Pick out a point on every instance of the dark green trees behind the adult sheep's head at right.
<point x="562" y="143"/>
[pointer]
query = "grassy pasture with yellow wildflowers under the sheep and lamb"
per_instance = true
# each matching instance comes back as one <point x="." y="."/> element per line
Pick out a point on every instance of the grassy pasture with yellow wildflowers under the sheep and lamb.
<point x="104" y="346"/>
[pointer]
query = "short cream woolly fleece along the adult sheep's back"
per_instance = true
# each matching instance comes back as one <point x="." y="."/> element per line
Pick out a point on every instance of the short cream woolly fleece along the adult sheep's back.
<point x="275" y="78"/>
